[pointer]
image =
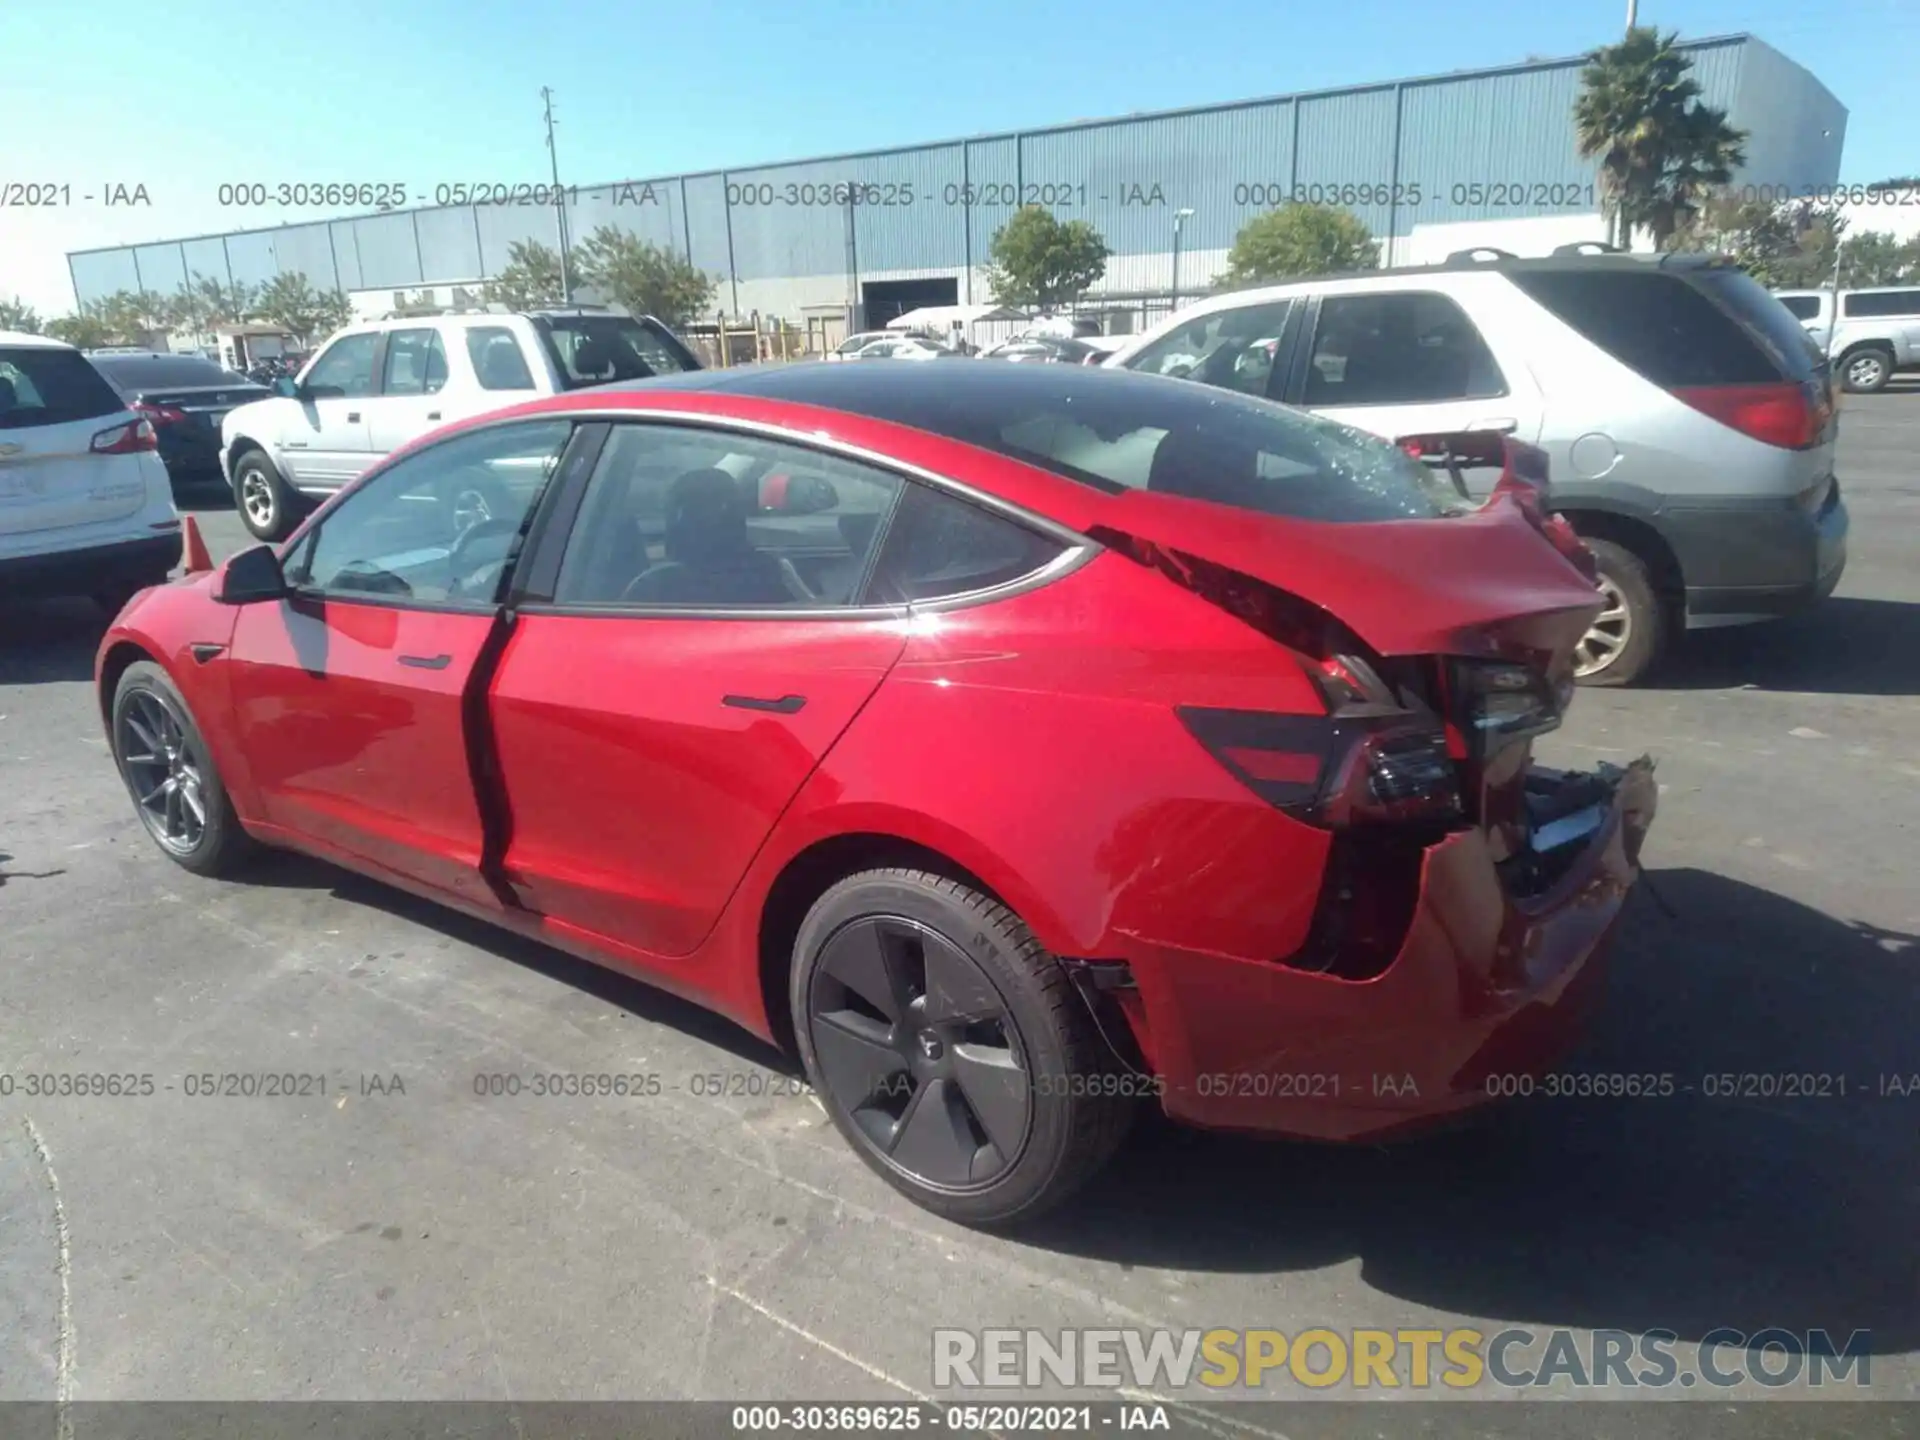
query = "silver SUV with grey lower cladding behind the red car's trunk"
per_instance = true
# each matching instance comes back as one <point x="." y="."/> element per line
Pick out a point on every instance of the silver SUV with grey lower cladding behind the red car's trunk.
<point x="1687" y="416"/>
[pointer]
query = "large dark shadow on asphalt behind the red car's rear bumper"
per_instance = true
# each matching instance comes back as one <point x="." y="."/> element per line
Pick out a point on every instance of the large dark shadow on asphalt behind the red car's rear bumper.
<point x="1685" y="1214"/>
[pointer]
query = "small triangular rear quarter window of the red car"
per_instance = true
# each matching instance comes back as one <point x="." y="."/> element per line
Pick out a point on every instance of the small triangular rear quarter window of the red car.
<point x="942" y="546"/>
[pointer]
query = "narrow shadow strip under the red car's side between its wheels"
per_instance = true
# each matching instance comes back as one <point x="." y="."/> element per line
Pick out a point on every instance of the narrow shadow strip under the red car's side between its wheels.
<point x="644" y="1001"/>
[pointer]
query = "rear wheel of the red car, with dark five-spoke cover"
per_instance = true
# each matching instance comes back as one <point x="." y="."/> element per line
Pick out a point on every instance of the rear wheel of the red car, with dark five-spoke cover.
<point x="1042" y="1053"/>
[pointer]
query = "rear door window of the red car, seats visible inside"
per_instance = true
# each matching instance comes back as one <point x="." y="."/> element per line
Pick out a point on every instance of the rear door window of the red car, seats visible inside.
<point x="708" y="519"/>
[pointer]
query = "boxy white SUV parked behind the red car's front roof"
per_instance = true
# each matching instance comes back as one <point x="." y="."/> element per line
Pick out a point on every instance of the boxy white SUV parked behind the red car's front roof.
<point x="381" y="385"/>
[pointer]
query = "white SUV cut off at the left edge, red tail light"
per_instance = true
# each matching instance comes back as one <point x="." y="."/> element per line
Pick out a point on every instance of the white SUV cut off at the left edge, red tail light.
<point x="85" y="504"/>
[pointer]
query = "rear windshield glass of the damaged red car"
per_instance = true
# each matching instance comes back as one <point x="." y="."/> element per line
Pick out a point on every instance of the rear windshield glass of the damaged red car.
<point x="1118" y="431"/>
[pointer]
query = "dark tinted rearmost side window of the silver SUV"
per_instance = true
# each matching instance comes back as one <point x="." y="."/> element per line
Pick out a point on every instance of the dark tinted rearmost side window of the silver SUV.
<point x="1668" y="331"/>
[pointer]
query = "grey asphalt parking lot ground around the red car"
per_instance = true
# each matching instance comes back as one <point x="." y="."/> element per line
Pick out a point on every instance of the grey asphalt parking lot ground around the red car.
<point x="400" y="1236"/>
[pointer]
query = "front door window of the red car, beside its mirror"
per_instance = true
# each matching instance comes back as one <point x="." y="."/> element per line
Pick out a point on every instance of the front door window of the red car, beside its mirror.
<point x="437" y="527"/>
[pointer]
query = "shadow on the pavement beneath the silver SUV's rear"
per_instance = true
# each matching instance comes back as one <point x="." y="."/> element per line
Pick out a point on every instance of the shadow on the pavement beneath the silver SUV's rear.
<point x="1844" y="646"/>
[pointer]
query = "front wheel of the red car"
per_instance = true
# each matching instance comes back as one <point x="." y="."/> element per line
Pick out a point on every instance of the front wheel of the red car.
<point x="222" y="846"/>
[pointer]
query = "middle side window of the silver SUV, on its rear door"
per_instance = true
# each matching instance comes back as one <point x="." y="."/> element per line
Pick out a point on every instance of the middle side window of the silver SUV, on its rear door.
<point x="1399" y="348"/>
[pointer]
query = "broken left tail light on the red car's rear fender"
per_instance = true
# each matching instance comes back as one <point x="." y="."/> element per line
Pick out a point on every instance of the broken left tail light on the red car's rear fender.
<point x="1337" y="771"/>
